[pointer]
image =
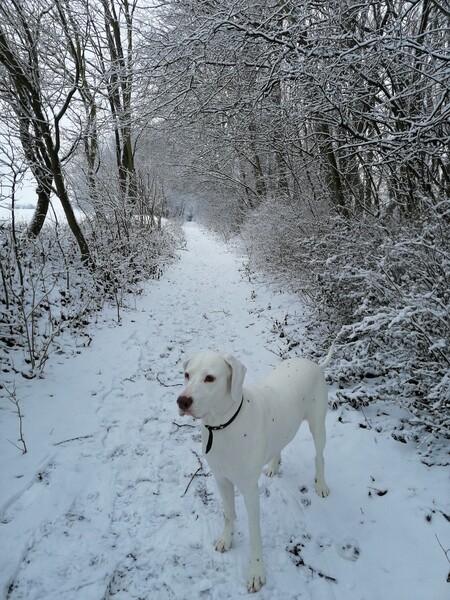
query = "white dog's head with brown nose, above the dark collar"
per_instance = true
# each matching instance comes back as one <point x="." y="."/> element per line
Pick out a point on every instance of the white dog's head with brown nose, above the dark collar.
<point x="213" y="383"/>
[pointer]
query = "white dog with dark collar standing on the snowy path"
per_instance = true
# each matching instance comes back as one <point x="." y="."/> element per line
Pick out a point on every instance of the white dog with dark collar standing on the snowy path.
<point x="246" y="428"/>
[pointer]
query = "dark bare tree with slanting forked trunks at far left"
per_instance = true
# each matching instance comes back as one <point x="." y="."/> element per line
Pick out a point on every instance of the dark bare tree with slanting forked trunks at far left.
<point x="40" y="90"/>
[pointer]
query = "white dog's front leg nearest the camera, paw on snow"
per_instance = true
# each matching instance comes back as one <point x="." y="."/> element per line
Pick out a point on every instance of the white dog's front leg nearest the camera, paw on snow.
<point x="256" y="574"/>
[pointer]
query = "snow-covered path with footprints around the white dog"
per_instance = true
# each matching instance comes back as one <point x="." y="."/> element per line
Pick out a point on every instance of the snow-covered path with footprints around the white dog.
<point x="105" y="505"/>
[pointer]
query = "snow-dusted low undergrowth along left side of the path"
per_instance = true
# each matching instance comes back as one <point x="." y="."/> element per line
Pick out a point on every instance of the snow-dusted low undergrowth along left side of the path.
<point x="46" y="290"/>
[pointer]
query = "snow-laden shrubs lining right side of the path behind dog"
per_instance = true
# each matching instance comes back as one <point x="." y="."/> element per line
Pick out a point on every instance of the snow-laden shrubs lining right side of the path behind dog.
<point x="385" y="288"/>
